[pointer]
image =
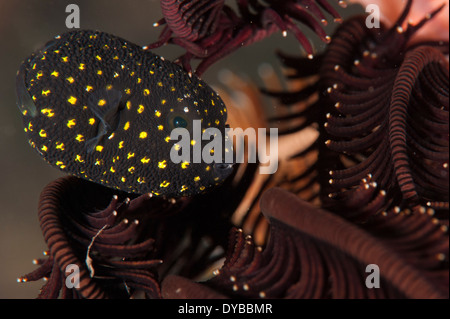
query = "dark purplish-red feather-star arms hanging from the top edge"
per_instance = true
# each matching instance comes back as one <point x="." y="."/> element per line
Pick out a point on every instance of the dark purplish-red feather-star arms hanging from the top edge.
<point x="210" y="30"/>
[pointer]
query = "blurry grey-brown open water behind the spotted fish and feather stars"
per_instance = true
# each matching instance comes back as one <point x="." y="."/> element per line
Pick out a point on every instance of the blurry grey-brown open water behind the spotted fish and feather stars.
<point x="24" y="26"/>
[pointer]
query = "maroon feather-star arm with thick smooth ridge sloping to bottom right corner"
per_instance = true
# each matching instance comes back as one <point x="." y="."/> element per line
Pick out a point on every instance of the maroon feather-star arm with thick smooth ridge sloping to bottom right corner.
<point x="313" y="253"/>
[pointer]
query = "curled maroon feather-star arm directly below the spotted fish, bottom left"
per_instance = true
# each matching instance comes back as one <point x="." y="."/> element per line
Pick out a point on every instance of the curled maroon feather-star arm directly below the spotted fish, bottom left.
<point x="101" y="241"/>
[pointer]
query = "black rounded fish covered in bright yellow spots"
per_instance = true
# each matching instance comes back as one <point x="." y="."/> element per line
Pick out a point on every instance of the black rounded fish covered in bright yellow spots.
<point x="101" y="108"/>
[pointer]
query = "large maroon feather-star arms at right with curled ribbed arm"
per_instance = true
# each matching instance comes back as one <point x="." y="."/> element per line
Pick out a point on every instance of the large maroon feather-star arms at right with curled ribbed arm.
<point x="383" y="119"/>
